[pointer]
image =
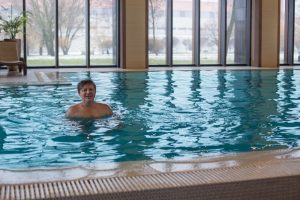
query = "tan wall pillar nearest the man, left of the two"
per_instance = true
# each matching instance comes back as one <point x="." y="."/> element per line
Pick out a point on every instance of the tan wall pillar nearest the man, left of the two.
<point x="134" y="34"/>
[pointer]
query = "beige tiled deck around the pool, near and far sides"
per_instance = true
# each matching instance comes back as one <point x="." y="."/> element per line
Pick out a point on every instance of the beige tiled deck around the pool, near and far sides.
<point x="254" y="175"/>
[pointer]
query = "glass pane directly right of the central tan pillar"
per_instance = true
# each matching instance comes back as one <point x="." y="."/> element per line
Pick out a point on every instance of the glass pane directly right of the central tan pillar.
<point x="157" y="32"/>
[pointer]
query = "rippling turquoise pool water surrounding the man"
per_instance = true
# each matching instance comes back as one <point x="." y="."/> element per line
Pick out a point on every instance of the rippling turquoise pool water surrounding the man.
<point x="158" y="116"/>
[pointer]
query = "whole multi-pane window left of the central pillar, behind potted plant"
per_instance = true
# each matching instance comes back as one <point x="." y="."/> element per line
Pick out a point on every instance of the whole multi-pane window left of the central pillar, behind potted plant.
<point x="62" y="36"/>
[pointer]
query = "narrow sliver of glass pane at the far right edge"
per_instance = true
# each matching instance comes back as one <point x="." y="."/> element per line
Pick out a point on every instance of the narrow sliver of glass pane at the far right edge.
<point x="297" y="32"/>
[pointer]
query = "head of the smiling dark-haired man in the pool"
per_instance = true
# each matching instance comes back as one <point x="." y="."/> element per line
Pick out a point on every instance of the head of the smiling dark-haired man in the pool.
<point x="87" y="91"/>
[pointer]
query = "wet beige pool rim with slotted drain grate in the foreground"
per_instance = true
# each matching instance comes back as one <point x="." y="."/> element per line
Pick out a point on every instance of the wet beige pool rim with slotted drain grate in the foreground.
<point x="131" y="177"/>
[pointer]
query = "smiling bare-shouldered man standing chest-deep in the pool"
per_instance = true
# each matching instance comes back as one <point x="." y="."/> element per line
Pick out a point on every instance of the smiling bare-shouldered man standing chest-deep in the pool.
<point x="88" y="108"/>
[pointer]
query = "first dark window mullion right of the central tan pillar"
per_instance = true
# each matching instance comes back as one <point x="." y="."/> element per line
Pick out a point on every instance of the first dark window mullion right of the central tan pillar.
<point x="169" y="52"/>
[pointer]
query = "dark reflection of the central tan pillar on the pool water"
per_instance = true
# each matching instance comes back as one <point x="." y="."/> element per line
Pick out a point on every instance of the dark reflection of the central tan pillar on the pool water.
<point x="131" y="138"/>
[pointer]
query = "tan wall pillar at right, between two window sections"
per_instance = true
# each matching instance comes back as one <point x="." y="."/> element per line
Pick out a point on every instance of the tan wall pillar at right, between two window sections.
<point x="265" y="33"/>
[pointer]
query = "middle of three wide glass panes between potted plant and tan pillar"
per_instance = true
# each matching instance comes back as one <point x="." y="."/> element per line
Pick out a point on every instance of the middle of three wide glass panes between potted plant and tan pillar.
<point x="72" y="34"/>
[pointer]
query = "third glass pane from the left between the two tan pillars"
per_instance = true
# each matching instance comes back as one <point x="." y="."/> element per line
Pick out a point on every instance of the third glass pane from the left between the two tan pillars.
<point x="209" y="26"/>
